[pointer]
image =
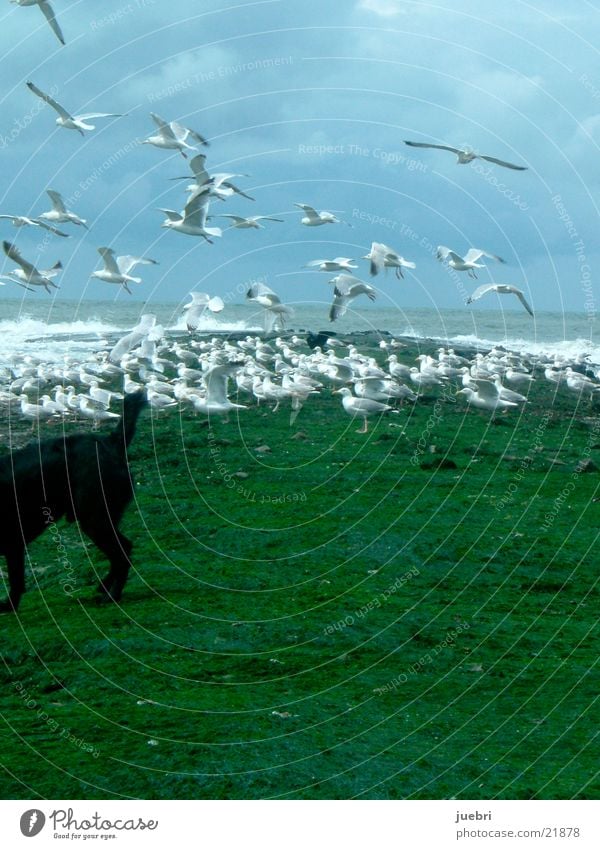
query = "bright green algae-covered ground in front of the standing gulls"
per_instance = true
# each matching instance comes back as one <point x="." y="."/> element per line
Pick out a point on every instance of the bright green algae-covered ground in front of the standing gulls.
<point x="315" y="613"/>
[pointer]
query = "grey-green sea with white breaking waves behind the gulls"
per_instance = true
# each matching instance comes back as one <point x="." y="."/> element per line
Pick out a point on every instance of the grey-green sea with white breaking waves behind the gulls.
<point x="63" y="328"/>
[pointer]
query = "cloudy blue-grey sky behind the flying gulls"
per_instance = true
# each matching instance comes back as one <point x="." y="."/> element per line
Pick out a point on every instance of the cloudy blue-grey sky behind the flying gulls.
<point x="310" y="101"/>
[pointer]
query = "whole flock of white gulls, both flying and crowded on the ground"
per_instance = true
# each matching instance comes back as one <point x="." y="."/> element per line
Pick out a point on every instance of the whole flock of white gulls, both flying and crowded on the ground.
<point x="286" y="370"/>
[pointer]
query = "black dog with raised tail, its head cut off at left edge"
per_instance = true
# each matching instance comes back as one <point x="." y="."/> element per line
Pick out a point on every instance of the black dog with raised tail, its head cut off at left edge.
<point x="84" y="477"/>
